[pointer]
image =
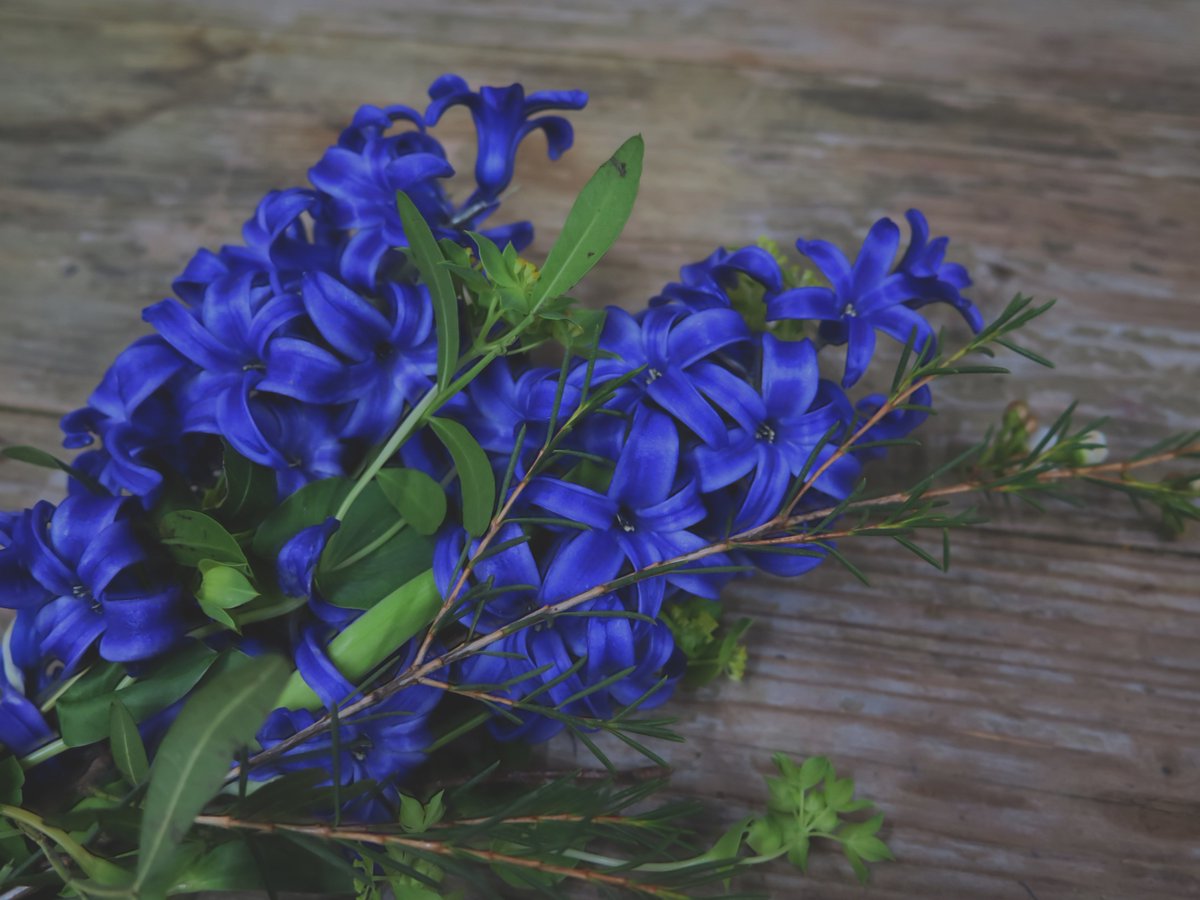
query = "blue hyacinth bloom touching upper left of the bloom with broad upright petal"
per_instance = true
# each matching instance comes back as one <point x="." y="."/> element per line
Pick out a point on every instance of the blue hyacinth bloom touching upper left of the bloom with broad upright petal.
<point x="675" y="350"/>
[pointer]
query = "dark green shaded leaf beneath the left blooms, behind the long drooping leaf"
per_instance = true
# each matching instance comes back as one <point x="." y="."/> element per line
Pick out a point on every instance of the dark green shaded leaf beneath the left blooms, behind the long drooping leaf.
<point x="85" y="713"/>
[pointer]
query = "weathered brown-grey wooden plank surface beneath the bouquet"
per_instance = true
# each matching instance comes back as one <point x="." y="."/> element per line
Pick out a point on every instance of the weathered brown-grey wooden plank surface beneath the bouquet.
<point x="1029" y="723"/>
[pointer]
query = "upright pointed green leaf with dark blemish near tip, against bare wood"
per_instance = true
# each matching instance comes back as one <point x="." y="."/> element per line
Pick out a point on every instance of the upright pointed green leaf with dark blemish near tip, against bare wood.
<point x="595" y="223"/>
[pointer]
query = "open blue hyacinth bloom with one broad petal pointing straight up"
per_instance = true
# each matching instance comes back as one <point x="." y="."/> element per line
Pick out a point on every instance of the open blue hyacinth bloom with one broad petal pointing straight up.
<point x="795" y="413"/>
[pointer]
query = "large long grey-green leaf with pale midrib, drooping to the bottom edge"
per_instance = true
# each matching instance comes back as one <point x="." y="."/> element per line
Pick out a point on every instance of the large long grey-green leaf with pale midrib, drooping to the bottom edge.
<point x="194" y="758"/>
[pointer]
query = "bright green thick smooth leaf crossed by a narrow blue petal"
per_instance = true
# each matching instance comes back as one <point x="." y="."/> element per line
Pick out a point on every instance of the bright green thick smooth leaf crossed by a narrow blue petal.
<point x="373" y="638"/>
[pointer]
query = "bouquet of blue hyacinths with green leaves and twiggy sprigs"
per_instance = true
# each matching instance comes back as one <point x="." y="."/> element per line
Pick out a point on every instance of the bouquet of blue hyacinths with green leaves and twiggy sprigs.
<point x="379" y="501"/>
